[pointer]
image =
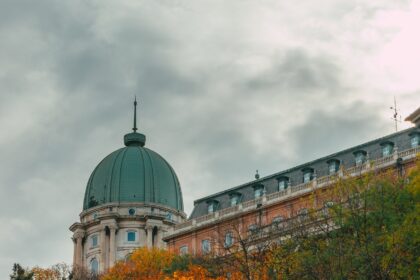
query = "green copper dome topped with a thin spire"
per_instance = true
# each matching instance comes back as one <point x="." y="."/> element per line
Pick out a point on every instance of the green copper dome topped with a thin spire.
<point x="133" y="174"/>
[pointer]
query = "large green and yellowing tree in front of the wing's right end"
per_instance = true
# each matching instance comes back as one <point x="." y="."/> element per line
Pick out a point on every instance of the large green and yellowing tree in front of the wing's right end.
<point x="371" y="232"/>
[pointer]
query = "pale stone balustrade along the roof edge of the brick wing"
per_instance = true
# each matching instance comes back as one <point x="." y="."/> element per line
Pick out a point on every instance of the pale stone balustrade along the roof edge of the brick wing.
<point x="301" y="188"/>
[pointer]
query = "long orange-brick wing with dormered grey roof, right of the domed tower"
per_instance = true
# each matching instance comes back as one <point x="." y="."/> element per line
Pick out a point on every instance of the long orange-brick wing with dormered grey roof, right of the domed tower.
<point x="272" y="204"/>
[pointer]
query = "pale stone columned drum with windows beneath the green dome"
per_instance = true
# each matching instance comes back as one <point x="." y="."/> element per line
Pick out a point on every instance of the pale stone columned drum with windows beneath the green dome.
<point x="110" y="232"/>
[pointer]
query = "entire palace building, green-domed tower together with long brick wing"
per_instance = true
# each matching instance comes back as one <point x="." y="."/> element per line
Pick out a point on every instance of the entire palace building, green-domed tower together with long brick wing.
<point x="133" y="199"/>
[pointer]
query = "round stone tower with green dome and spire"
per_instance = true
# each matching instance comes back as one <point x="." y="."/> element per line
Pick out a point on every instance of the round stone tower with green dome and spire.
<point x="132" y="199"/>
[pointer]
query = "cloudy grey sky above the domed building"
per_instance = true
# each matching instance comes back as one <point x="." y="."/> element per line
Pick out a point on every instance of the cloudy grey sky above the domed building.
<point x="225" y="88"/>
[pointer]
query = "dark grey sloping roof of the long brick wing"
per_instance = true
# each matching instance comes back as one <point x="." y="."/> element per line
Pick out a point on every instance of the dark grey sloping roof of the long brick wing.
<point x="373" y="149"/>
